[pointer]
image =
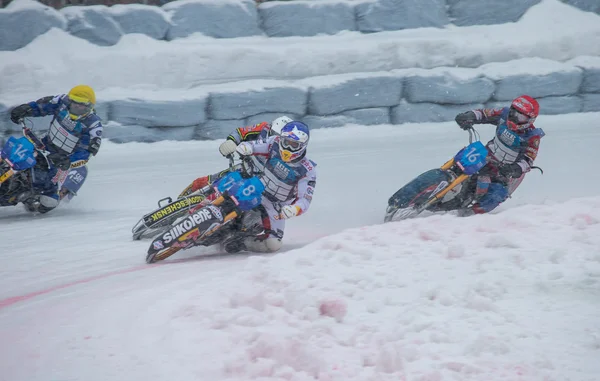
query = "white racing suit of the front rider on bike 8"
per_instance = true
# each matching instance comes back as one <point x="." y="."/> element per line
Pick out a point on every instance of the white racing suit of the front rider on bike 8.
<point x="289" y="188"/>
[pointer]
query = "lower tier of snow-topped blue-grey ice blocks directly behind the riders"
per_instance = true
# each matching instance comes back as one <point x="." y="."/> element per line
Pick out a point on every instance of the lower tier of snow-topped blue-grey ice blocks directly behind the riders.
<point x="397" y="96"/>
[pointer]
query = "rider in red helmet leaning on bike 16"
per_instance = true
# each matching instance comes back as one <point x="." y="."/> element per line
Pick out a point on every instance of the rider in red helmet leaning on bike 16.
<point x="512" y="151"/>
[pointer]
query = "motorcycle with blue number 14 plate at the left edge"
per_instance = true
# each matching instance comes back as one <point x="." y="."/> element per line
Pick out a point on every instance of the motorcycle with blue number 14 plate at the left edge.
<point x="24" y="167"/>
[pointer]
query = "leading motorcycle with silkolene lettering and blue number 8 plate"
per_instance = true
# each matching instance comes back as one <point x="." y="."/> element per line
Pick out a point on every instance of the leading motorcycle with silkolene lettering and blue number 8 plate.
<point x="230" y="217"/>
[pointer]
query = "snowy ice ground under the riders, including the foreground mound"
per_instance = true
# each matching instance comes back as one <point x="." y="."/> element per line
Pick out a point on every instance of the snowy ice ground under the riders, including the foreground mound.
<point x="514" y="295"/>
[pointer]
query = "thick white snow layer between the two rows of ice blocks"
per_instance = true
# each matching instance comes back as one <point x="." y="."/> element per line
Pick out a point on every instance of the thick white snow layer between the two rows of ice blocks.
<point x="197" y="60"/>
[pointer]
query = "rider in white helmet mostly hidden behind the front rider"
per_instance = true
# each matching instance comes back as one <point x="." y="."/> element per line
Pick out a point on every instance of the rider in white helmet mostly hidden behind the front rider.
<point x="260" y="131"/>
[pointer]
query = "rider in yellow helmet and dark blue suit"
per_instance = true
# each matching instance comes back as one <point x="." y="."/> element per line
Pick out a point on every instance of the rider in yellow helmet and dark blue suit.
<point x="74" y="134"/>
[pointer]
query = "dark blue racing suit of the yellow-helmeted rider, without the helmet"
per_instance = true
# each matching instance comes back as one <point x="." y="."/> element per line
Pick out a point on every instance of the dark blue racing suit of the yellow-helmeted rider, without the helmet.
<point x="70" y="143"/>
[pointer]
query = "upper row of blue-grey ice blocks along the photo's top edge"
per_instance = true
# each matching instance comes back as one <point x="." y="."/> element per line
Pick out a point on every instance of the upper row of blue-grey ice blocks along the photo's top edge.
<point x="242" y="18"/>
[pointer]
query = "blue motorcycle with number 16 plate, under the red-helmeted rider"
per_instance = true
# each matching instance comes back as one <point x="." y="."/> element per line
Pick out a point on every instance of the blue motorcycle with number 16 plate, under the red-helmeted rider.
<point x="450" y="187"/>
